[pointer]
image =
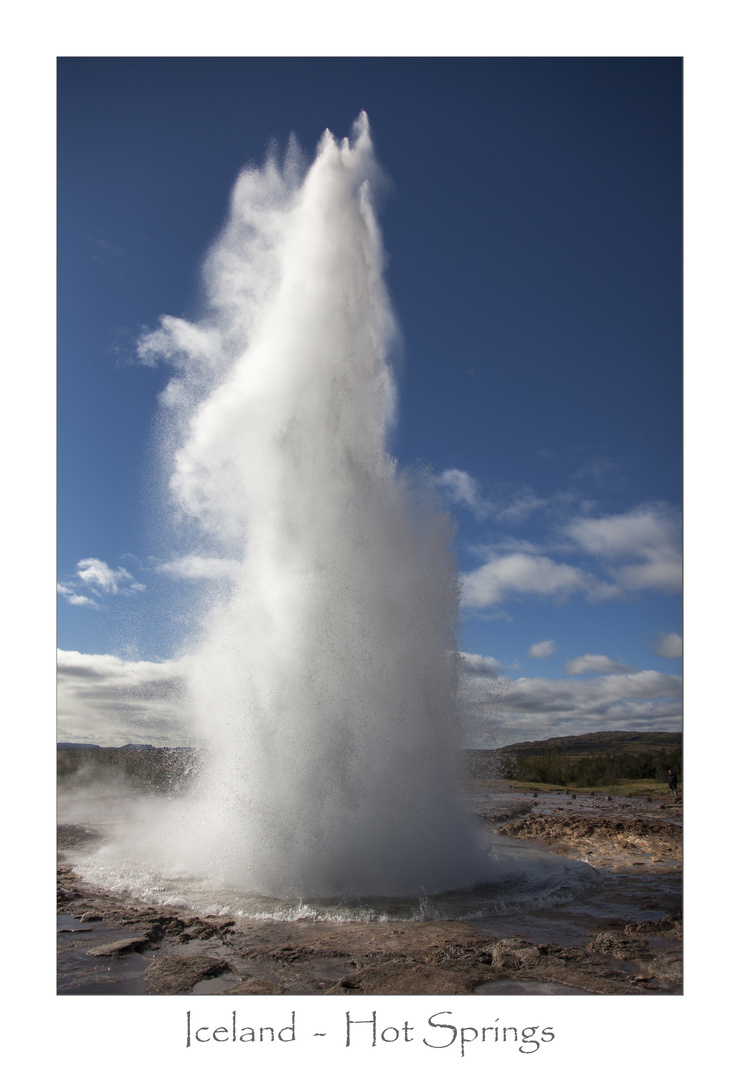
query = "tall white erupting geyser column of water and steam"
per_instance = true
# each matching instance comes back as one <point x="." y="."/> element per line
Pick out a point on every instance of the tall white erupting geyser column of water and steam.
<point x="326" y="681"/>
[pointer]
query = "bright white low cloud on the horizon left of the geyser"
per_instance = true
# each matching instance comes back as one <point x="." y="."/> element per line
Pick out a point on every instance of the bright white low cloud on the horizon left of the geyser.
<point x="110" y="701"/>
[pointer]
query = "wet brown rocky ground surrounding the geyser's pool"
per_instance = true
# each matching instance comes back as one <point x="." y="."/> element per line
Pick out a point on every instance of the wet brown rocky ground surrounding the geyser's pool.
<point x="626" y="940"/>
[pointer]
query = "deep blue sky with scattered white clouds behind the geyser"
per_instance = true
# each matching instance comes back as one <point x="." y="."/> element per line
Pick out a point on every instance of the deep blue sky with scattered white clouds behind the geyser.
<point x="534" y="232"/>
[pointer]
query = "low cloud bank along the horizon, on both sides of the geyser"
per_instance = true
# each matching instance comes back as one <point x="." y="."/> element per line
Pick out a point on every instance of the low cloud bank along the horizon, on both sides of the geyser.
<point x="111" y="701"/>
